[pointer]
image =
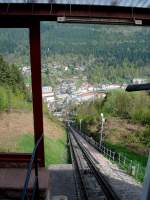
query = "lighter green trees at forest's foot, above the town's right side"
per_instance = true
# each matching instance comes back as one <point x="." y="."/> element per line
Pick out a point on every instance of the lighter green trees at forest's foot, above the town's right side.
<point x="115" y="73"/>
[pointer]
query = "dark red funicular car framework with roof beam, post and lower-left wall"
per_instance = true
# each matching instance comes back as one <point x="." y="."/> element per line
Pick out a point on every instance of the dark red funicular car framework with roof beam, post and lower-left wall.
<point x="29" y="14"/>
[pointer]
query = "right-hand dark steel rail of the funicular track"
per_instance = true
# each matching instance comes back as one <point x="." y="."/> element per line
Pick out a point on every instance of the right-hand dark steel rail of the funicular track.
<point x="106" y="187"/>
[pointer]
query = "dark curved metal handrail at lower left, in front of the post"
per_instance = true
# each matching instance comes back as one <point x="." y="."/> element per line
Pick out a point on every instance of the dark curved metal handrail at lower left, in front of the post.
<point x="35" y="194"/>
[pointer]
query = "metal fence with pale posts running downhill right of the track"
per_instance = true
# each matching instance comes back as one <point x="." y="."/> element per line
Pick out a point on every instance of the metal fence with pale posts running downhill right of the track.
<point x="130" y="166"/>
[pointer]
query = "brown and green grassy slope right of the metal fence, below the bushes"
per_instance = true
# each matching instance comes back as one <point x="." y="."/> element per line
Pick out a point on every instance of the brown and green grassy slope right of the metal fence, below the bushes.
<point x="118" y="133"/>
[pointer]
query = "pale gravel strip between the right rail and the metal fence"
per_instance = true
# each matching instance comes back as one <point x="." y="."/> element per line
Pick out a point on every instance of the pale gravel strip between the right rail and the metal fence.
<point x="124" y="185"/>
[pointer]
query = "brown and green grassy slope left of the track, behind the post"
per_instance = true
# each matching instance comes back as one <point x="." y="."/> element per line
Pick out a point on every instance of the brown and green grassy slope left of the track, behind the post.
<point x="18" y="131"/>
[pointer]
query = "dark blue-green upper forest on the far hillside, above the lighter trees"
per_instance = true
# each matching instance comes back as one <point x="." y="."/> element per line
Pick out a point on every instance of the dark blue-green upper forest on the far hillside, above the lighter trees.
<point x="82" y="39"/>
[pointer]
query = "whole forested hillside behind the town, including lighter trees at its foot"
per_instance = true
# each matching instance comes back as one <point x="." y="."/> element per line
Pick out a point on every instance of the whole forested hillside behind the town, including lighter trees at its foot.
<point x="109" y="53"/>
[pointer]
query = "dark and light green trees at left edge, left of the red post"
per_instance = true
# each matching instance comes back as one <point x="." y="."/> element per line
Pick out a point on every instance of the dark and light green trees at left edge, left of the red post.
<point x="13" y="93"/>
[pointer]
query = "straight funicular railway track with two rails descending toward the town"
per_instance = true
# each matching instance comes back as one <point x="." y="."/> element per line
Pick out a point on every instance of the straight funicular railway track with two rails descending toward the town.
<point x="91" y="184"/>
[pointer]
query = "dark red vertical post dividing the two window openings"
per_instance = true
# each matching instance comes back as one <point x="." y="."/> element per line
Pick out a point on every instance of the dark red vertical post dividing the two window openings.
<point x="35" y="57"/>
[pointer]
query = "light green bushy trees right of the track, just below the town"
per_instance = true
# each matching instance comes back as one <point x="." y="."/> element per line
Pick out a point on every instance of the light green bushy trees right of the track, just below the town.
<point x="132" y="106"/>
